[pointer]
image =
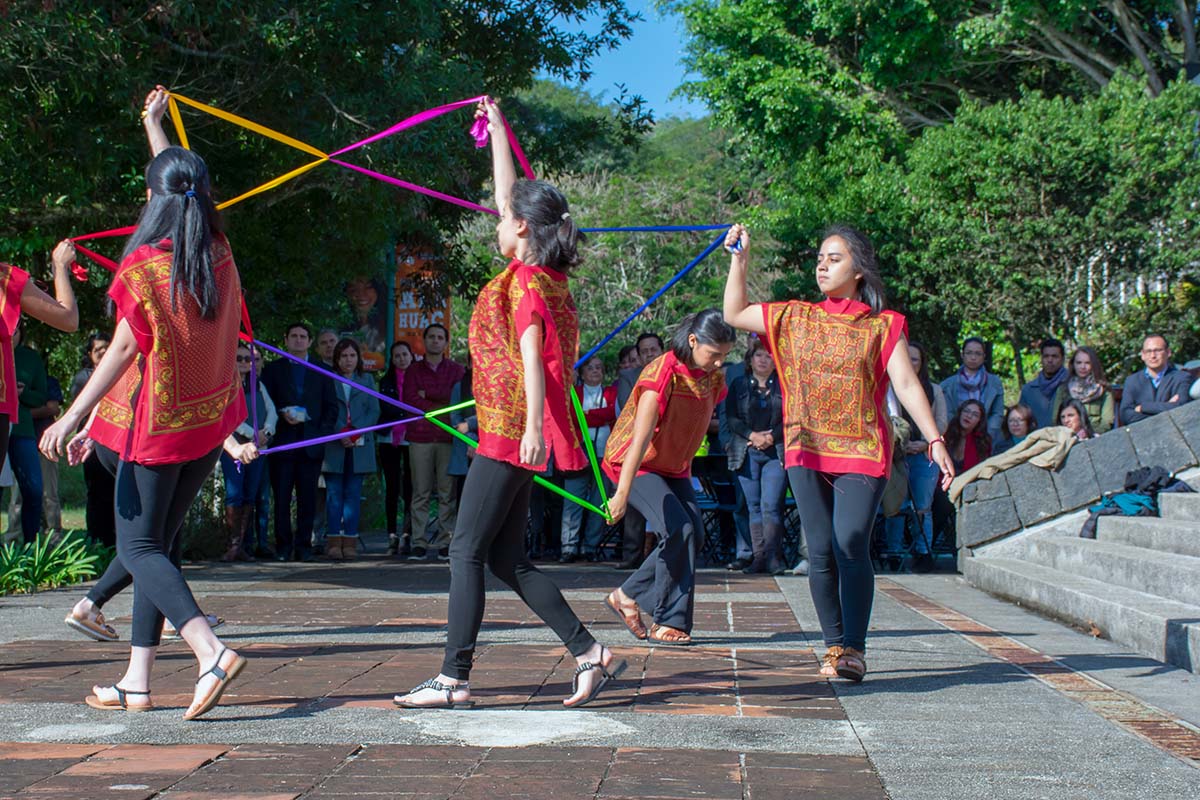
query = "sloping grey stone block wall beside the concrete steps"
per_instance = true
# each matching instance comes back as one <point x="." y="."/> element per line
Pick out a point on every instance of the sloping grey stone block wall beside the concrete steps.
<point x="1027" y="496"/>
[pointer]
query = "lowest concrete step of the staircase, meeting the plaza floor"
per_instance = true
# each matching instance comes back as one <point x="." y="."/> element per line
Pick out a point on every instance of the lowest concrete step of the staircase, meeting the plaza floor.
<point x="1161" y="629"/>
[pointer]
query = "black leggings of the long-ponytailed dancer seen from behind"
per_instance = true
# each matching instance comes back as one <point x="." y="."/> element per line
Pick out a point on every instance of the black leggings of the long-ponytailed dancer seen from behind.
<point x="152" y="504"/>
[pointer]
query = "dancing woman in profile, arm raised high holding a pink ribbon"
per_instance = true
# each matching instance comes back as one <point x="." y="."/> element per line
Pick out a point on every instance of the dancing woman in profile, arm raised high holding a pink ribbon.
<point x="524" y="342"/>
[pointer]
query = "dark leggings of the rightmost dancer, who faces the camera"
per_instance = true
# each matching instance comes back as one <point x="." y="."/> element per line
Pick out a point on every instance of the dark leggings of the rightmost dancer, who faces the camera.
<point x="838" y="514"/>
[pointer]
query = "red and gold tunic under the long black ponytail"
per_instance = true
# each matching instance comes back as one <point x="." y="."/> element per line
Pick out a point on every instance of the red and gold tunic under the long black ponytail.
<point x="191" y="398"/>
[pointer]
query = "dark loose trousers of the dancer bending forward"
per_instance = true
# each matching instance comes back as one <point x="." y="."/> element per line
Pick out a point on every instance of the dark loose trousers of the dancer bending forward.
<point x="665" y="585"/>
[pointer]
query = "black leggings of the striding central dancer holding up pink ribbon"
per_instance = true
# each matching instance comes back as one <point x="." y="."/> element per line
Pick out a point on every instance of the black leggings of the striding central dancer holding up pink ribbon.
<point x="491" y="528"/>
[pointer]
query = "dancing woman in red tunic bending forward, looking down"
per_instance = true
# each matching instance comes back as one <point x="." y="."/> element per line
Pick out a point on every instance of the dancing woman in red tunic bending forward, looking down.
<point x="650" y="459"/>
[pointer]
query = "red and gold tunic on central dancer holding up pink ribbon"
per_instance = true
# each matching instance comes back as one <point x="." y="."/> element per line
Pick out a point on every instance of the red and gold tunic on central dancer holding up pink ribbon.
<point x="507" y="306"/>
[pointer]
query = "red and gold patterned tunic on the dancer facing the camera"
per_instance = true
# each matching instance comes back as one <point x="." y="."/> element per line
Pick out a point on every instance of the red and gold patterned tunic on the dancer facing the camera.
<point x="832" y="360"/>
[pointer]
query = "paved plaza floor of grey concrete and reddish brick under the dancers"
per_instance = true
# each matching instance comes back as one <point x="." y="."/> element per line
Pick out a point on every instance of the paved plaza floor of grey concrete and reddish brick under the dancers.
<point x="968" y="697"/>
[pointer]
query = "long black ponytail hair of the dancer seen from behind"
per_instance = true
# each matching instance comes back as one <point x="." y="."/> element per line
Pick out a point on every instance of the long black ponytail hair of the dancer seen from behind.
<point x="181" y="209"/>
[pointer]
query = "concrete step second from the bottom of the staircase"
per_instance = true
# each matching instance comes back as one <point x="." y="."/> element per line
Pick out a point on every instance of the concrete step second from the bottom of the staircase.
<point x="1154" y="573"/>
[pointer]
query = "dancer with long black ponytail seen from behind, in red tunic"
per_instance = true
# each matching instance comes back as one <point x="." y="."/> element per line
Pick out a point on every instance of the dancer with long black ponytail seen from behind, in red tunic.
<point x="178" y="300"/>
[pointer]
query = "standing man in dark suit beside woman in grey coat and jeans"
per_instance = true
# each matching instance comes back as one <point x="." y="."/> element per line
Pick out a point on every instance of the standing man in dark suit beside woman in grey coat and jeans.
<point x="308" y="410"/>
